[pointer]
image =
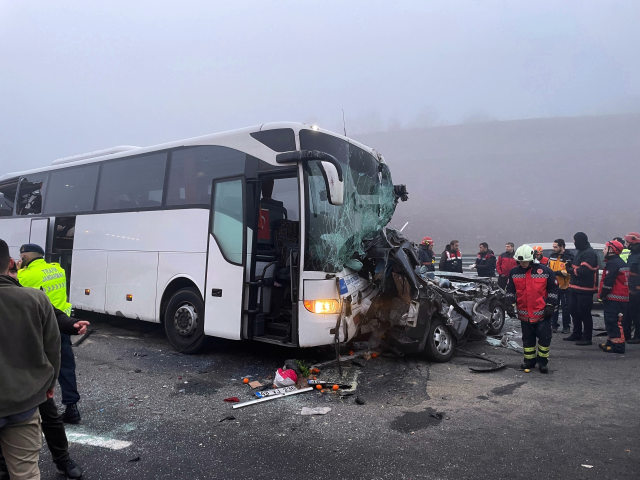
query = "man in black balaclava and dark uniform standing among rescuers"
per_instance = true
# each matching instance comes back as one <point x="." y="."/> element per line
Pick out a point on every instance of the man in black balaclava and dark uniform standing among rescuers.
<point x="582" y="286"/>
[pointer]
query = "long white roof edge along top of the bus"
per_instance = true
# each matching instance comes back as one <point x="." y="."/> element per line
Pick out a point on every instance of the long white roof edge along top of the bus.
<point x="210" y="139"/>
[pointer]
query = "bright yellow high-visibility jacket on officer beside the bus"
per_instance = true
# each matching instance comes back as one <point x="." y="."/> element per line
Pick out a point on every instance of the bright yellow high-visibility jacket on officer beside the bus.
<point x="48" y="277"/>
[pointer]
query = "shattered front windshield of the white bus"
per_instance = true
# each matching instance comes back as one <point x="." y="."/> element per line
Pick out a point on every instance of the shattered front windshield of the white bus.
<point x="335" y="234"/>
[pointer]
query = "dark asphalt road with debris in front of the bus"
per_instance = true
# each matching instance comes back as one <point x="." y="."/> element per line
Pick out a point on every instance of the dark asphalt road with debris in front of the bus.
<point x="150" y="413"/>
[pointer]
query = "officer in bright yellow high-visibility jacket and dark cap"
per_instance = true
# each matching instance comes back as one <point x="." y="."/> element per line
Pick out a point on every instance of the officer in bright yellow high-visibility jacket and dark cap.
<point x="35" y="272"/>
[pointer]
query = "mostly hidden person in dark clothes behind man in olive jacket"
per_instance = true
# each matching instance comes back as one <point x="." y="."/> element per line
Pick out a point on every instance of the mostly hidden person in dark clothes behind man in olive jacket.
<point x="52" y="424"/>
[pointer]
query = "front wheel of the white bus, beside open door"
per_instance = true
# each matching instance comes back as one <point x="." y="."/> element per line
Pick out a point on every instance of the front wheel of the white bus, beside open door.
<point x="184" y="321"/>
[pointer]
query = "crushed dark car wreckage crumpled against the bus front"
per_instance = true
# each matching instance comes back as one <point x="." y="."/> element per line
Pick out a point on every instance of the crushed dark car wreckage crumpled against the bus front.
<point x="405" y="309"/>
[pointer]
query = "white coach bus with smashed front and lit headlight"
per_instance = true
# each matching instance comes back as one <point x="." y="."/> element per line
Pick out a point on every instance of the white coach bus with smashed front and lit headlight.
<point x="246" y="234"/>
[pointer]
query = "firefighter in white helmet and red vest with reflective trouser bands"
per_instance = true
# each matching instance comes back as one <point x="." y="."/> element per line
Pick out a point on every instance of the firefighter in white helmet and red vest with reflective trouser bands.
<point x="534" y="290"/>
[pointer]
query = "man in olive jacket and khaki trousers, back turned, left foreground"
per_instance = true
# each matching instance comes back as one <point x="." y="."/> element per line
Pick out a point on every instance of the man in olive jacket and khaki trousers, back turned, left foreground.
<point x="29" y="366"/>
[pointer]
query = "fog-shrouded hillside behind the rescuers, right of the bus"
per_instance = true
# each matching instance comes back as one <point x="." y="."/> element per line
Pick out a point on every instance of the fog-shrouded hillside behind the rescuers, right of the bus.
<point x="520" y="181"/>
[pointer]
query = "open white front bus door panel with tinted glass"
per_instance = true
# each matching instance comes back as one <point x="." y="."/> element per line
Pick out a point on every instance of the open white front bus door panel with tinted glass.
<point x="226" y="259"/>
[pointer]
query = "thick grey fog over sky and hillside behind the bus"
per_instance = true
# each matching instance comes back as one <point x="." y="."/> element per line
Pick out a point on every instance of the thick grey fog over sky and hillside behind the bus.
<point x="440" y="88"/>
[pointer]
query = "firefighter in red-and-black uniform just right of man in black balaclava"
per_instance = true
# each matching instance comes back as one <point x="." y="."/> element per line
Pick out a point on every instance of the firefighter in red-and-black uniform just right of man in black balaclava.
<point x="614" y="294"/>
